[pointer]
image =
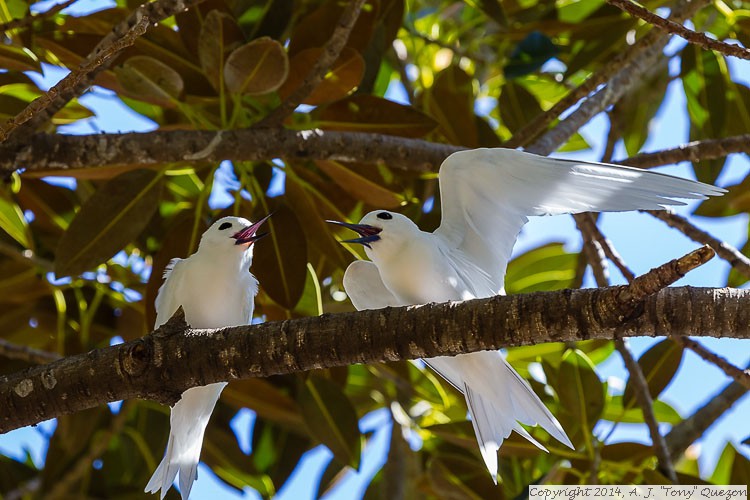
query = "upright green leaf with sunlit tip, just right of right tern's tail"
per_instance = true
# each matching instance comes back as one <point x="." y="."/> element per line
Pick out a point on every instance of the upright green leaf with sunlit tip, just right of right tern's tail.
<point x="580" y="390"/>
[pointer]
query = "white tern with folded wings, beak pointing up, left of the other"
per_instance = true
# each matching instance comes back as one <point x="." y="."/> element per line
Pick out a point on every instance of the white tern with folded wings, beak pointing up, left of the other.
<point x="215" y="289"/>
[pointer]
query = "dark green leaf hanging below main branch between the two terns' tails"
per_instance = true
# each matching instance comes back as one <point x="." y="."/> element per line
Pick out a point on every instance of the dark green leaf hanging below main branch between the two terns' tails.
<point x="331" y="418"/>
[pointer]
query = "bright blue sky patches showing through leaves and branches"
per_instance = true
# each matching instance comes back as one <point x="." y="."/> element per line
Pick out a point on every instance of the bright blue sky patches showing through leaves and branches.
<point x="643" y="241"/>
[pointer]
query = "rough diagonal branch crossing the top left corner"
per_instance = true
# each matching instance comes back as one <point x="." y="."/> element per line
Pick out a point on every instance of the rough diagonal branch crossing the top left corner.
<point x="73" y="85"/>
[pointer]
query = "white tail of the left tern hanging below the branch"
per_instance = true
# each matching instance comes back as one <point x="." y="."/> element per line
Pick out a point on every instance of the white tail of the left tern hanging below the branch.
<point x="188" y="422"/>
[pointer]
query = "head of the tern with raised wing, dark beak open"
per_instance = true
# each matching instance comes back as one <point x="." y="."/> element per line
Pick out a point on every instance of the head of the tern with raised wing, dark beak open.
<point x="381" y="232"/>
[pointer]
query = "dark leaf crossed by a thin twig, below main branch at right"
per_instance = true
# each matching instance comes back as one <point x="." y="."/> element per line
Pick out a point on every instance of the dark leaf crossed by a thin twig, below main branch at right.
<point x="659" y="365"/>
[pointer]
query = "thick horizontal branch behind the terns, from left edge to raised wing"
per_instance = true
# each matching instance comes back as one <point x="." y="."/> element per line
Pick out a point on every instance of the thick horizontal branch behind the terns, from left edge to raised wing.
<point x="56" y="152"/>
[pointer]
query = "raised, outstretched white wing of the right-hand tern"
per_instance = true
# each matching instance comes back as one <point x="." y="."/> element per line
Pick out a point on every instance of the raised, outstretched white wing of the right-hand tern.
<point x="487" y="195"/>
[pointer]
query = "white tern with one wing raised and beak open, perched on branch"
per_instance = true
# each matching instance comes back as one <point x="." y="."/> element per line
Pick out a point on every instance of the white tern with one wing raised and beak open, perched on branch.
<point x="486" y="197"/>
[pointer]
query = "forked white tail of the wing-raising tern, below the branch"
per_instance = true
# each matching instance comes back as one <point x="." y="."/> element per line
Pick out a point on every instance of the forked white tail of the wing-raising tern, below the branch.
<point x="498" y="399"/>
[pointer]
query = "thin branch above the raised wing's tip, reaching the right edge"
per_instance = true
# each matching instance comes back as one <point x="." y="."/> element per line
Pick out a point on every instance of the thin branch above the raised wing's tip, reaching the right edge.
<point x="708" y="149"/>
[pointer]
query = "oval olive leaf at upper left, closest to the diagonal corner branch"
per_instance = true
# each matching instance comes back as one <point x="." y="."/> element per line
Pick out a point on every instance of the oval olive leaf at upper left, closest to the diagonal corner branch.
<point x="150" y="80"/>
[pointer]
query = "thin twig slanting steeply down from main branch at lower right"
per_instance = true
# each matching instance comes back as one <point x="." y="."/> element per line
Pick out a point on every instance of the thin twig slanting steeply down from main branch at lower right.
<point x="643" y="397"/>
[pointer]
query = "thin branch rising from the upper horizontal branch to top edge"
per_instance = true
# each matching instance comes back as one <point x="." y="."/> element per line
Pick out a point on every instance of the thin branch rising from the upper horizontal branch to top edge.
<point x="331" y="52"/>
